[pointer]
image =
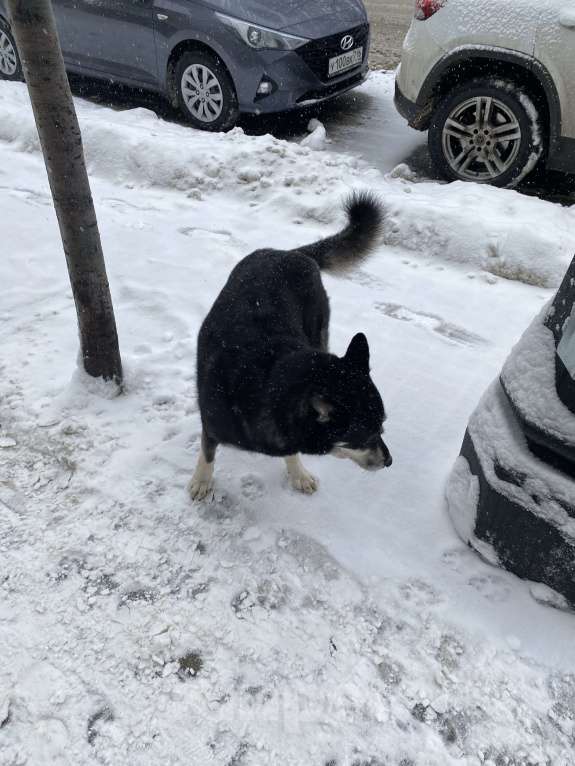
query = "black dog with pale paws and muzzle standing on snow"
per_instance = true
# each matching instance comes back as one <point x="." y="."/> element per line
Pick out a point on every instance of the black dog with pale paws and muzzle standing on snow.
<point x="266" y="381"/>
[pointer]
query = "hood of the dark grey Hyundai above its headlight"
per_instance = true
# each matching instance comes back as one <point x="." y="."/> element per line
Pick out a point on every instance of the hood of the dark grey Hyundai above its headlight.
<point x="309" y="18"/>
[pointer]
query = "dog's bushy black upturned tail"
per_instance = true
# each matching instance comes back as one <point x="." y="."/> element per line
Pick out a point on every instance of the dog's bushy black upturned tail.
<point x="354" y="243"/>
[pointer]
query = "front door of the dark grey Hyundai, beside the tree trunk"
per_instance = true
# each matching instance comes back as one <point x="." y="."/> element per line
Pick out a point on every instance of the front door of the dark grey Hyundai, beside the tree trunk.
<point x="111" y="37"/>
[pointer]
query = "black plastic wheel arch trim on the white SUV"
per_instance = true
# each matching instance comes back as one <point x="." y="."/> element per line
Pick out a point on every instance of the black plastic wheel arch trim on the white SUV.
<point x="472" y="62"/>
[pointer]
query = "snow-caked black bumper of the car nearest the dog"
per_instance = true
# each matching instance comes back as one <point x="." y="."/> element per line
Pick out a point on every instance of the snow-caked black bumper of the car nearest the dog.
<point x="515" y="510"/>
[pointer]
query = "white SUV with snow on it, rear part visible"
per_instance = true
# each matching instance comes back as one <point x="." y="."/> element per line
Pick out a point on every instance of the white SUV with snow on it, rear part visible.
<point x="494" y="83"/>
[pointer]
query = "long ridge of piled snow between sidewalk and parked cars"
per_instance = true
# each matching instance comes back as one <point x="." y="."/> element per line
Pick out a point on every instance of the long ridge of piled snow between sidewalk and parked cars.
<point x="479" y="227"/>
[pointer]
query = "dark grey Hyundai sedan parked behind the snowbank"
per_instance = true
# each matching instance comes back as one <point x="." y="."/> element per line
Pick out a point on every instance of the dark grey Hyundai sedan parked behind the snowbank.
<point x="214" y="59"/>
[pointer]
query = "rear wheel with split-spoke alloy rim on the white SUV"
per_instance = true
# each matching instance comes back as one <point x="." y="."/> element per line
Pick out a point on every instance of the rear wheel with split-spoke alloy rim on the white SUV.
<point x="487" y="131"/>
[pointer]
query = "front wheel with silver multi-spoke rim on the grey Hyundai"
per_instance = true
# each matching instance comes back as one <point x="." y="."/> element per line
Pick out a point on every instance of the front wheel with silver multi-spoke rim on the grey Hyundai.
<point x="205" y="91"/>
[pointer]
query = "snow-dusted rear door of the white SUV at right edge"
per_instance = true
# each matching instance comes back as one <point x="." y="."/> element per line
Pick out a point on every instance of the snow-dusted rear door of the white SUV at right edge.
<point x="555" y="49"/>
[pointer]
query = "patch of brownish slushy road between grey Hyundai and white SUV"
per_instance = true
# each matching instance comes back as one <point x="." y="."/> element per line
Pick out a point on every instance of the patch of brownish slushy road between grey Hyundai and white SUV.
<point x="390" y="20"/>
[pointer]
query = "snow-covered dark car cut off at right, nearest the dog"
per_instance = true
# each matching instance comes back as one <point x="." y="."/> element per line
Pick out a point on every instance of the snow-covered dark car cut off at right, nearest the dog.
<point x="512" y="491"/>
